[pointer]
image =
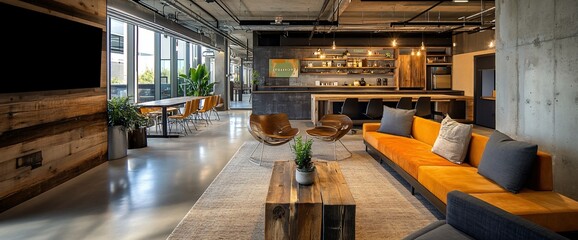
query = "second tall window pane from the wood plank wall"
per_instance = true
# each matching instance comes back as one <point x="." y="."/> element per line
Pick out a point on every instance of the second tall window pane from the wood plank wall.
<point x="145" y="65"/>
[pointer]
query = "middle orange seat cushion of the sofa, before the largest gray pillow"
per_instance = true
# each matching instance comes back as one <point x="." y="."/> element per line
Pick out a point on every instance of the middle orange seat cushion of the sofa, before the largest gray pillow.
<point x="440" y="180"/>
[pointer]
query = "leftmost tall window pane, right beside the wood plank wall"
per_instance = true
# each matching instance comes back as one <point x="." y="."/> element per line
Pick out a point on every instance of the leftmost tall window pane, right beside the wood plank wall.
<point x="118" y="58"/>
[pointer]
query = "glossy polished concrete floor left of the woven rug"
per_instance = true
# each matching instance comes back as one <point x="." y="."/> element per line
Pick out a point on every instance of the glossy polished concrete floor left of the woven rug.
<point x="142" y="196"/>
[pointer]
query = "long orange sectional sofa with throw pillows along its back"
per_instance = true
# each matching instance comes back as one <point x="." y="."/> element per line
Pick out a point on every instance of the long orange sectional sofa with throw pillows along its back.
<point x="433" y="176"/>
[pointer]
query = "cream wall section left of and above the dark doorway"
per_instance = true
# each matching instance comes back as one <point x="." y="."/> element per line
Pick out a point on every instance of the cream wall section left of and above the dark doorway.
<point x="463" y="71"/>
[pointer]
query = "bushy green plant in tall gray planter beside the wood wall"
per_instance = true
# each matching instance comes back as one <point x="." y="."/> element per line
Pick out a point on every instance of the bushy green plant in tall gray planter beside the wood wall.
<point x="123" y="116"/>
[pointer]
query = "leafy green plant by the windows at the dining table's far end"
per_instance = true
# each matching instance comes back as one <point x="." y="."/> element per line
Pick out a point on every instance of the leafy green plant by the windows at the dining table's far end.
<point x="197" y="81"/>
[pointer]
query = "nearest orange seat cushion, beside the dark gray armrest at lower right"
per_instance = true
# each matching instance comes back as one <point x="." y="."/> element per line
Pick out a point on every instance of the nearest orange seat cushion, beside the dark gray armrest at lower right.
<point x="549" y="209"/>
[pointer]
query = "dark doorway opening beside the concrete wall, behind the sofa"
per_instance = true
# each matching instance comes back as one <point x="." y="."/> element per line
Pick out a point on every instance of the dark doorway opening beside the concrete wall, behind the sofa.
<point x="485" y="90"/>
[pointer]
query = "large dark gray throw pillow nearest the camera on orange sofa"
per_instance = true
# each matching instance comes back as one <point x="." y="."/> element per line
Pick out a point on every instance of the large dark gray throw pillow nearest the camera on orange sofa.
<point x="507" y="162"/>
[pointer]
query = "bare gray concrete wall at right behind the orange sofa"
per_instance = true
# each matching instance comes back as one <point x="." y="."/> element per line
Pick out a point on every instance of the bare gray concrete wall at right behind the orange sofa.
<point x="537" y="95"/>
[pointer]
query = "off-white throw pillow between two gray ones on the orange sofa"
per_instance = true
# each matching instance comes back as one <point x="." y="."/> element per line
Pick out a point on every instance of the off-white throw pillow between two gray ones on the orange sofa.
<point x="453" y="140"/>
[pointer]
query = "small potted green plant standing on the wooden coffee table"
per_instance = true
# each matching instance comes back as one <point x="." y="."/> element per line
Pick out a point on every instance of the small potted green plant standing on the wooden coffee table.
<point x="305" y="171"/>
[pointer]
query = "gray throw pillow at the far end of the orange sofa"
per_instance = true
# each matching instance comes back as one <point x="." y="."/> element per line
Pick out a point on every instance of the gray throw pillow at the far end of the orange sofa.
<point x="396" y="121"/>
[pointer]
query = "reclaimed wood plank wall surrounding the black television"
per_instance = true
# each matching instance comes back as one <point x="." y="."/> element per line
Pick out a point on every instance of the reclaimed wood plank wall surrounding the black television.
<point x="67" y="128"/>
